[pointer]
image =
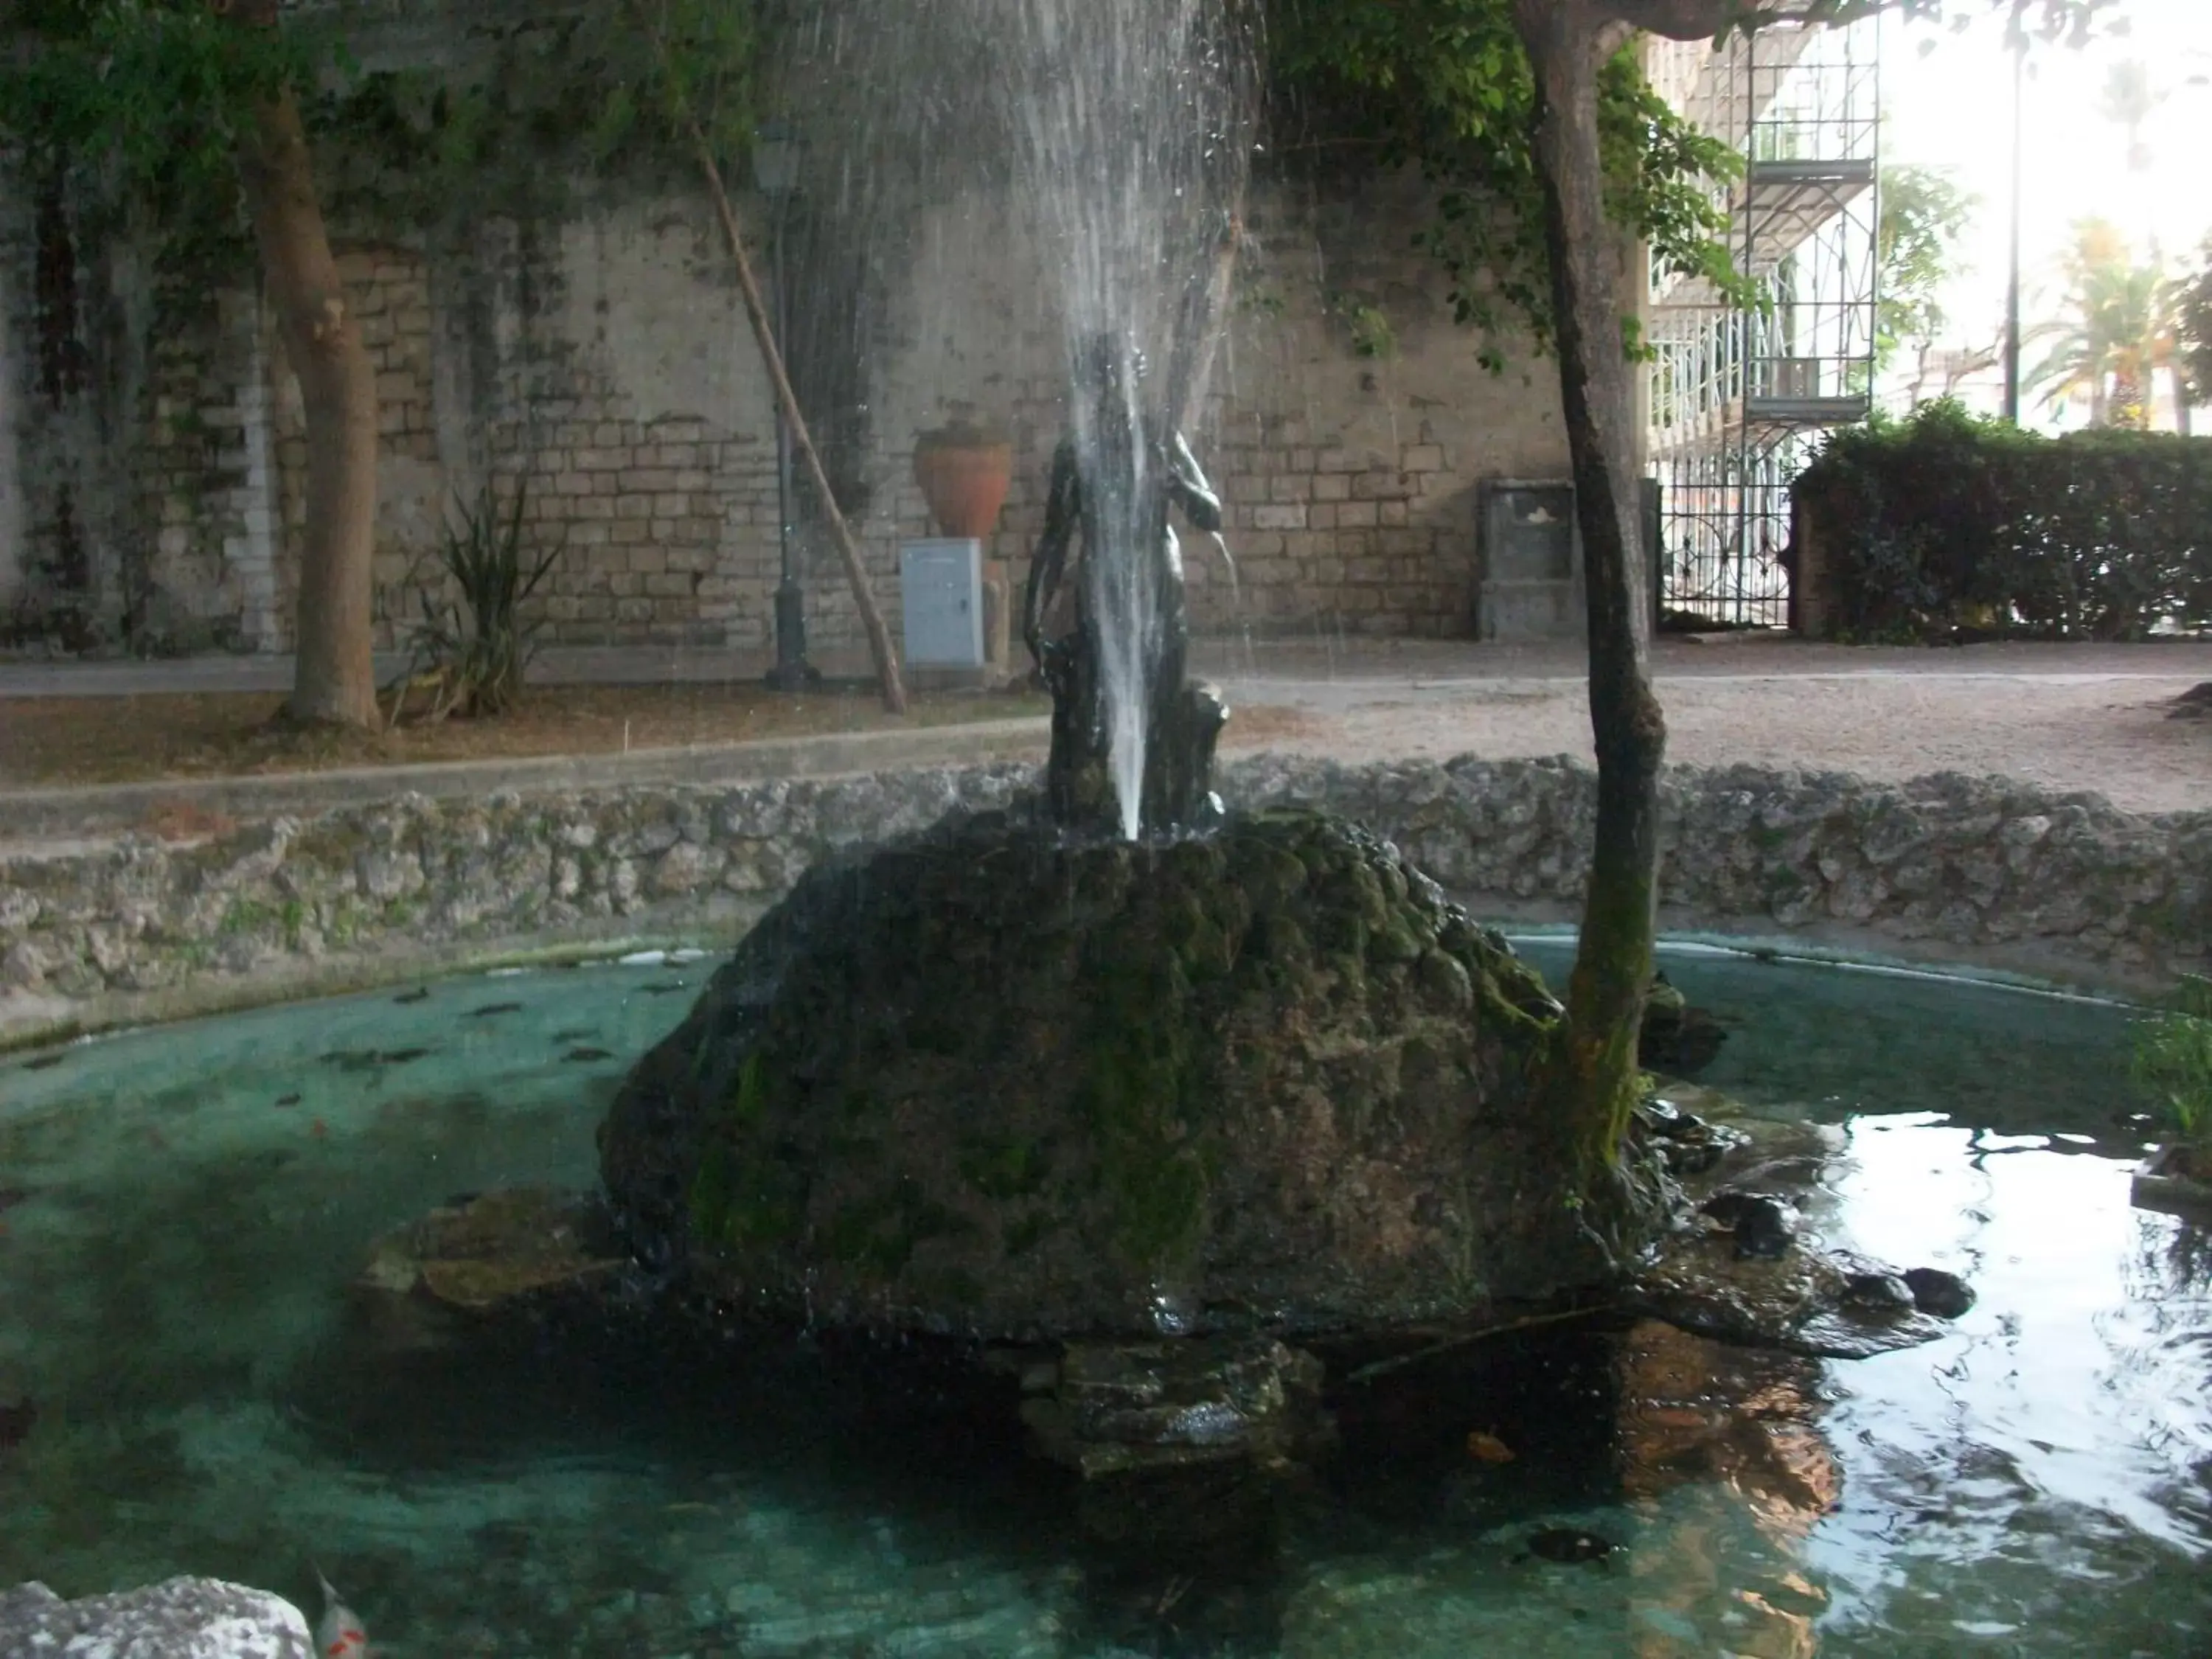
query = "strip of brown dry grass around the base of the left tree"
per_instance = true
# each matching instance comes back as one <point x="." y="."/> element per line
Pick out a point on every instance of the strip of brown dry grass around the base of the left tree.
<point x="129" y="740"/>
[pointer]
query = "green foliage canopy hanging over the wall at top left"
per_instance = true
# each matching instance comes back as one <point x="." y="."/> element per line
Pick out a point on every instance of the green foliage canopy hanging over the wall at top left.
<point x="140" y="109"/>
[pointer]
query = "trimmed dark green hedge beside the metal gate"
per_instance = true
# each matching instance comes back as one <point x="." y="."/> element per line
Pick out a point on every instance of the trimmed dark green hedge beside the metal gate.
<point x="1948" y="525"/>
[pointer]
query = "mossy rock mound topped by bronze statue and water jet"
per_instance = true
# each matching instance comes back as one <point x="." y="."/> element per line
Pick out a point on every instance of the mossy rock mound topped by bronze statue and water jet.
<point x="1125" y="1094"/>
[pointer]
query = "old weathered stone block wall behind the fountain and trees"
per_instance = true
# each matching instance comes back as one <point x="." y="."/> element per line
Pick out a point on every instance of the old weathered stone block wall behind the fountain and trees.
<point x="607" y="364"/>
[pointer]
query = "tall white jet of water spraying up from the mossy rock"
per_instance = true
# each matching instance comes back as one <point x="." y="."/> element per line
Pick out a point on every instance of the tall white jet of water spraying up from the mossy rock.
<point x="1127" y="134"/>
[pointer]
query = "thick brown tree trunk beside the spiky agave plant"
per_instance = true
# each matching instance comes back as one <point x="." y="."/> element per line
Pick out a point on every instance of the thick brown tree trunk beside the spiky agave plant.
<point x="335" y="678"/>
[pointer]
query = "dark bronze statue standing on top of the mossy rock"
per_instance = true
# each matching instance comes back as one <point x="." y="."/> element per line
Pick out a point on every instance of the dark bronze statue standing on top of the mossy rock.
<point x="1098" y="494"/>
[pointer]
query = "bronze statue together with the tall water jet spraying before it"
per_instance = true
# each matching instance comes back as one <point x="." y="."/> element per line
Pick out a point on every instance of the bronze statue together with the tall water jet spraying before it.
<point x="1134" y="145"/>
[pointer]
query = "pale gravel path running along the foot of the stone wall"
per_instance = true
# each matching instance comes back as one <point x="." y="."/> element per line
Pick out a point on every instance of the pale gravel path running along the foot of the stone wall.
<point x="2067" y="718"/>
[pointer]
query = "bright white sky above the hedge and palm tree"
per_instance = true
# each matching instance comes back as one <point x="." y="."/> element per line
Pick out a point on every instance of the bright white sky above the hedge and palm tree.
<point x="1948" y="103"/>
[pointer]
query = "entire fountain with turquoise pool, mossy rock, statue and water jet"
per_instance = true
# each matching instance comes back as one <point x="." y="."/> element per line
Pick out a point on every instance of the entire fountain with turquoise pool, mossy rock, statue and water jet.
<point x="1145" y="1127"/>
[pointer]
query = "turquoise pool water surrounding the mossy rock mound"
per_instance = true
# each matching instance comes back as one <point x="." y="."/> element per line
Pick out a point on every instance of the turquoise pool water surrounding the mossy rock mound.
<point x="185" y="1209"/>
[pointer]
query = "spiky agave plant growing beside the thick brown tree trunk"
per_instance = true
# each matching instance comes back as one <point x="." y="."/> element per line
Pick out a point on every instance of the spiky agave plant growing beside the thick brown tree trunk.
<point x="474" y="645"/>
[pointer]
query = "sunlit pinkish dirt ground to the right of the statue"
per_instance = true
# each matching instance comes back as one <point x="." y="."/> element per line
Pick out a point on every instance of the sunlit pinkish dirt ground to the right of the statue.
<point x="2111" y="735"/>
